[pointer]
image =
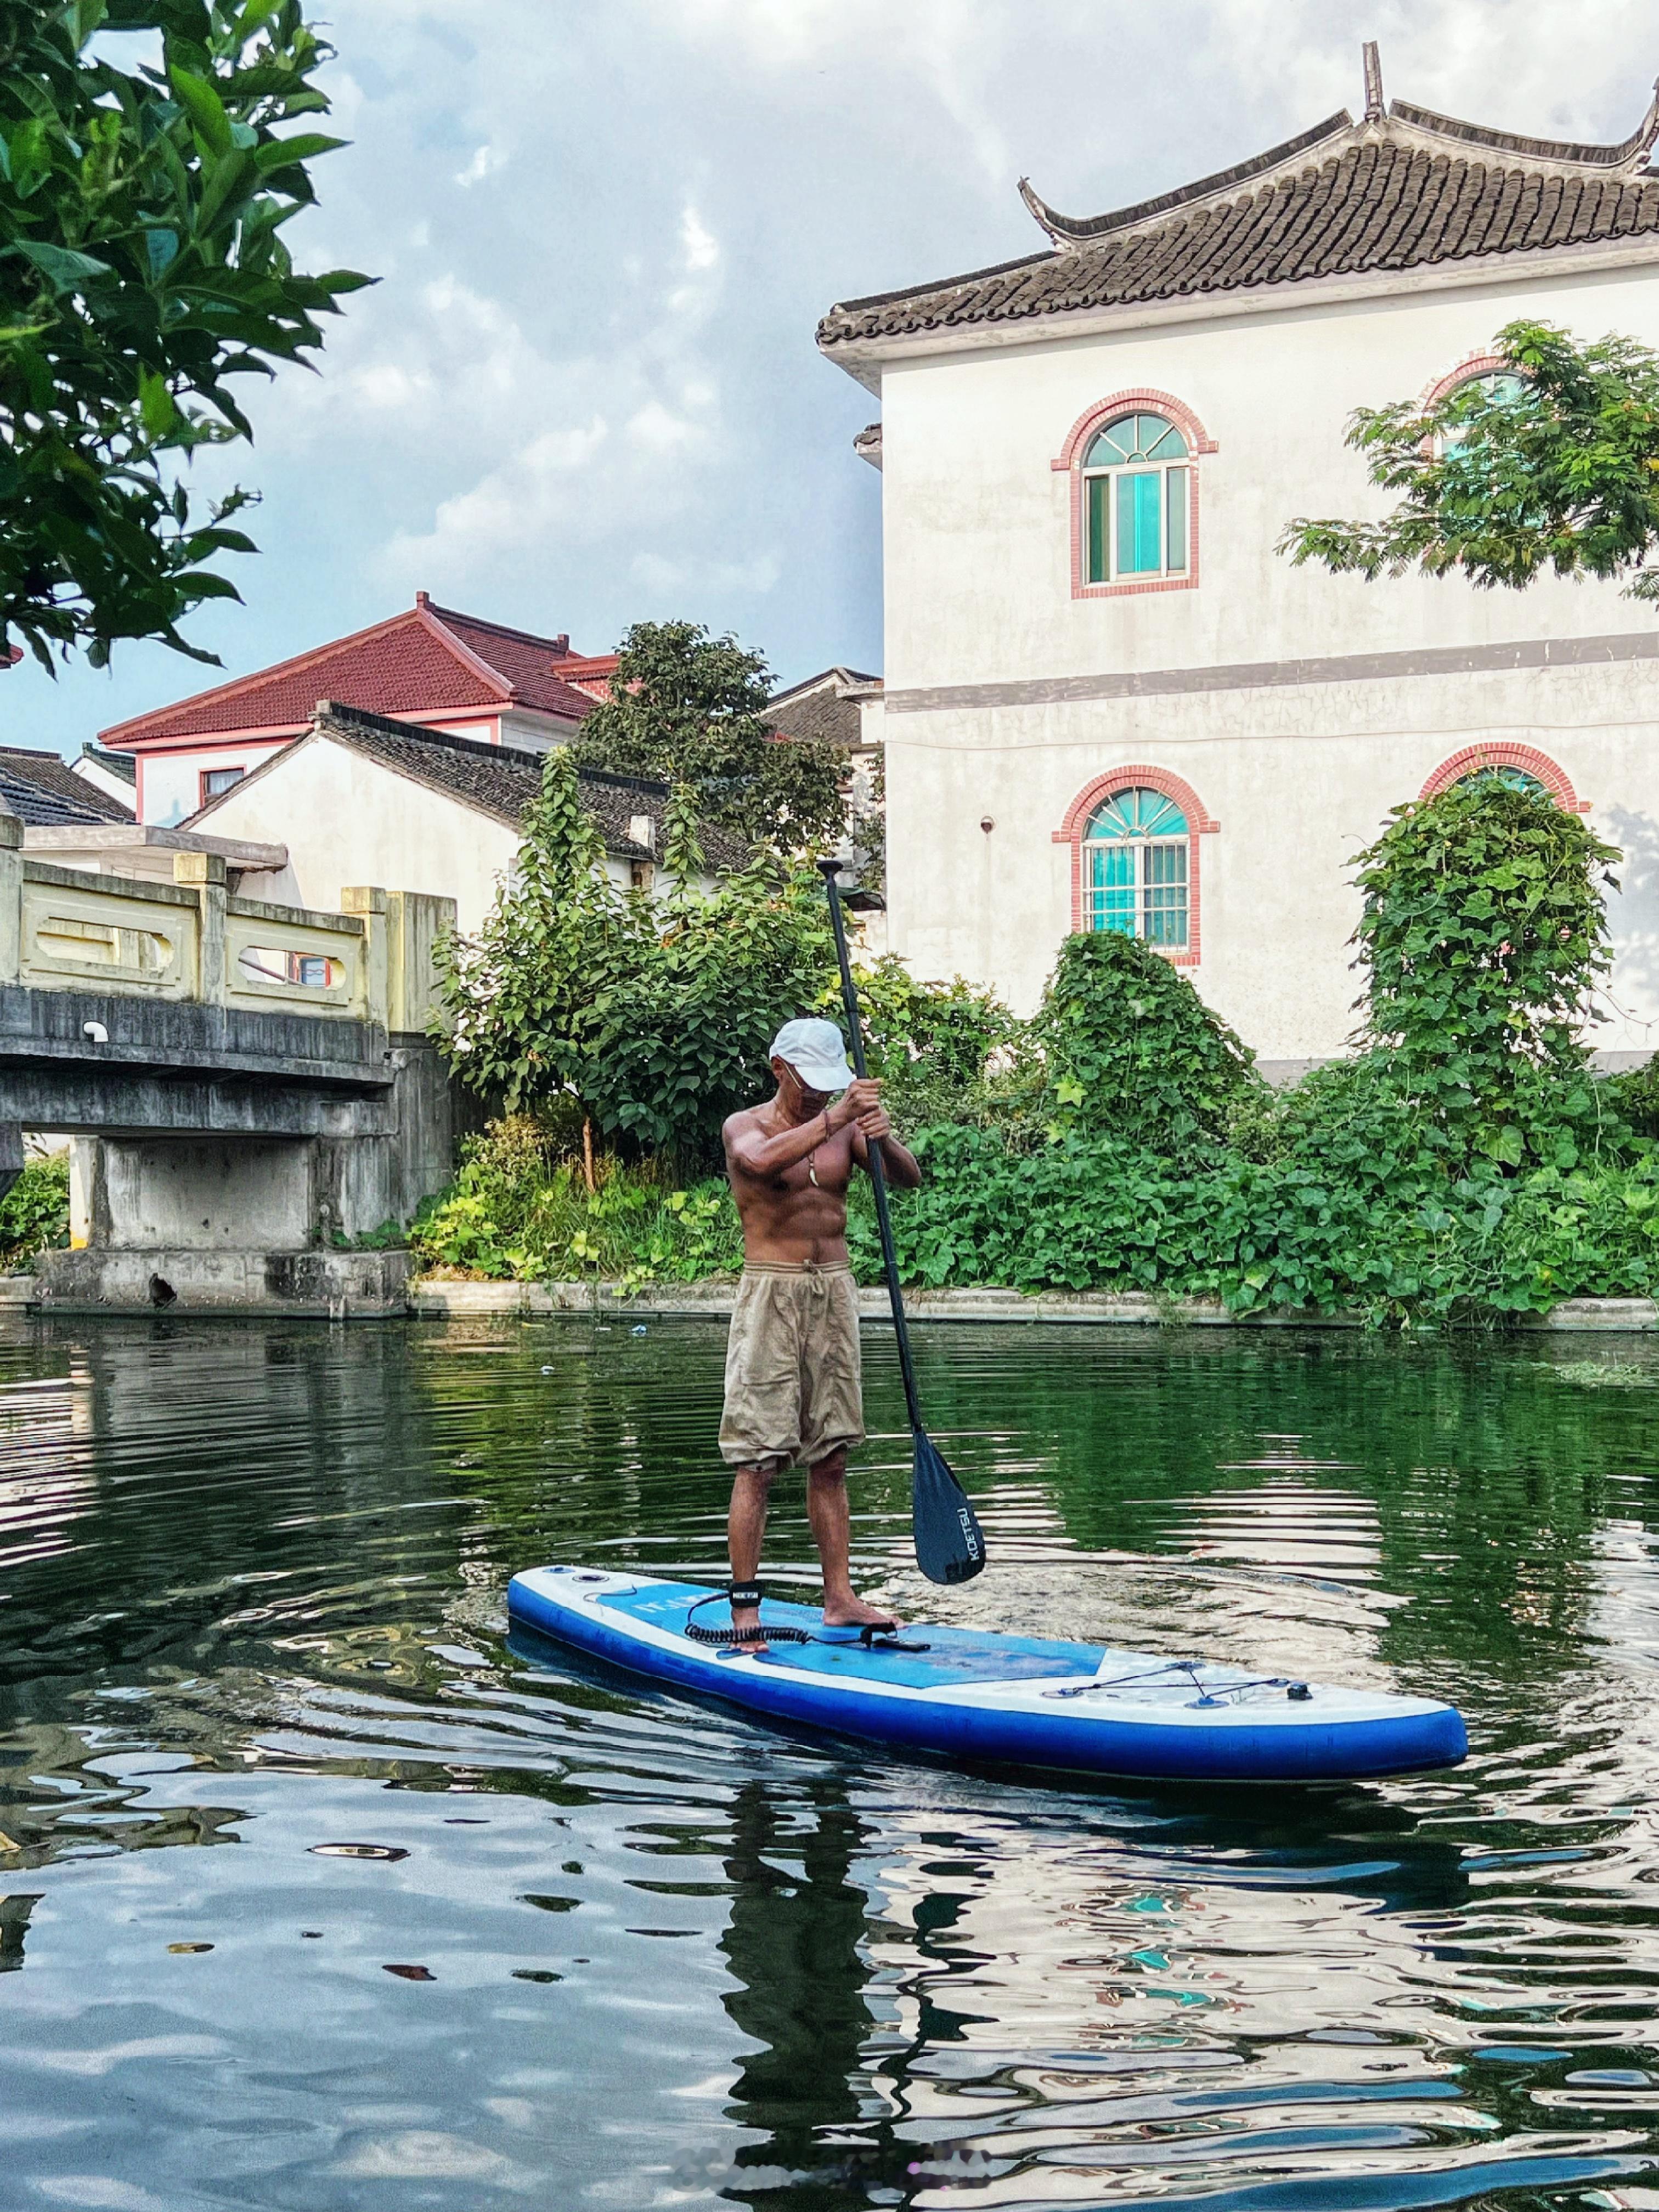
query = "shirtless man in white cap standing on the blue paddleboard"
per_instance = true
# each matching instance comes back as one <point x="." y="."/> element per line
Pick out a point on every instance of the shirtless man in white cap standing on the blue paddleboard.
<point x="793" y="1377"/>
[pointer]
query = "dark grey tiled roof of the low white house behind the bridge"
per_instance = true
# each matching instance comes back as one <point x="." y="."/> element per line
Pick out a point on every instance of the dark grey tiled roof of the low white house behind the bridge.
<point x="494" y="780"/>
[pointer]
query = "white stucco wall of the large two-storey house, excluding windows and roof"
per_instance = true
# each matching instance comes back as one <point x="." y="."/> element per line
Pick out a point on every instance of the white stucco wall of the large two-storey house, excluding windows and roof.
<point x="1297" y="775"/>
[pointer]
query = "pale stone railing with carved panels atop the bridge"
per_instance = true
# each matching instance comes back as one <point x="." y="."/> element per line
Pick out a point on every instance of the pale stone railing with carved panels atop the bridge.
<point x="67" y="930"/>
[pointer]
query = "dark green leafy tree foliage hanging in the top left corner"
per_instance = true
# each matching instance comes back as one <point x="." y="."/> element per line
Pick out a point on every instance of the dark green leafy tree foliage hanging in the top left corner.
<point x="143" y="269"/>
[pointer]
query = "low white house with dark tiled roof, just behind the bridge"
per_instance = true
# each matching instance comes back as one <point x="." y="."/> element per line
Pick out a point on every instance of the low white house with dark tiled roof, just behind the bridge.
<point x="371" y="800"/>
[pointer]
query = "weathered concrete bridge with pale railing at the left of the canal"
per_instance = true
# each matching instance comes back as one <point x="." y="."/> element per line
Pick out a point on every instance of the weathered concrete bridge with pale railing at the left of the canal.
<point x="249" y="1089"/>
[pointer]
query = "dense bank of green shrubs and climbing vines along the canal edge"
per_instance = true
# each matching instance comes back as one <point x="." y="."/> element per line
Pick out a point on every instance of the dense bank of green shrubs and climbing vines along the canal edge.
<point x="1465" y="1162"/>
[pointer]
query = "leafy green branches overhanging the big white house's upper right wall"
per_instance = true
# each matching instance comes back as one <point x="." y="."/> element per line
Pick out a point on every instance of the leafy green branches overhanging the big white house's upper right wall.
<point x="1554" y="466"/>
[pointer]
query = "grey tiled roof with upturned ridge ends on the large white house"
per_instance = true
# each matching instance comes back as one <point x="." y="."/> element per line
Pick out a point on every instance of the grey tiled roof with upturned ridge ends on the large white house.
<point x="1397" y="191"/>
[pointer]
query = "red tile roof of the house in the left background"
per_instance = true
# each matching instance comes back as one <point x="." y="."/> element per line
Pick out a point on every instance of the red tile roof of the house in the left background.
<point x="428" y="660"/>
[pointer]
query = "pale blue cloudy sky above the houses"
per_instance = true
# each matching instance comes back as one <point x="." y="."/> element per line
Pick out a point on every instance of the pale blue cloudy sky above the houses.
<point x="585" y="390"/>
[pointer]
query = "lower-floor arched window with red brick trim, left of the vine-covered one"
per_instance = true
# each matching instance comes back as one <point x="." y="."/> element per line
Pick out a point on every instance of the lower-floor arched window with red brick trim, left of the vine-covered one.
<point x="1136" y="862"/>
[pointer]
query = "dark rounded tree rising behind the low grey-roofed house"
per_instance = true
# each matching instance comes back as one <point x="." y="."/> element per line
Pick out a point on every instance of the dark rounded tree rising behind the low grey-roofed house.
<point x="693" y="709"/>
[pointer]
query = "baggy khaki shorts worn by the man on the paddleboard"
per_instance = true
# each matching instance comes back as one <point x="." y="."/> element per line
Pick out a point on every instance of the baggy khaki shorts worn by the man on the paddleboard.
<point x="793" y="1370"/>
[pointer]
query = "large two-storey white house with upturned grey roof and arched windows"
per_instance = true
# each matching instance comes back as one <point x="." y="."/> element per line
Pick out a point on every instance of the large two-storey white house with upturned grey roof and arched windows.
<point x="1109" y="702"/>
